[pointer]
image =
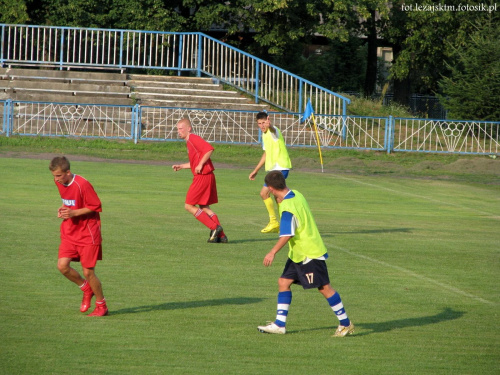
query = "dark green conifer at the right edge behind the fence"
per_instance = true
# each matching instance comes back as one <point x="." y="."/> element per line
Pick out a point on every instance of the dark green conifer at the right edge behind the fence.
<point x="472" y="90"/>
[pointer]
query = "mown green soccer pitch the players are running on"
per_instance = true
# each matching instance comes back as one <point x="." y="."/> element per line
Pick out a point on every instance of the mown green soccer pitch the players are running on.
<point x="416" y="262"/>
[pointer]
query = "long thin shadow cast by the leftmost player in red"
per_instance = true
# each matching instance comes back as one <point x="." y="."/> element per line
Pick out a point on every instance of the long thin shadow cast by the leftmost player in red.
<point x="187" y="305"/>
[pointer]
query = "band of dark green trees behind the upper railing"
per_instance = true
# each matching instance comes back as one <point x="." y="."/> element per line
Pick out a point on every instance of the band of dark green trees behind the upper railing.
<point x="428" y="46"/>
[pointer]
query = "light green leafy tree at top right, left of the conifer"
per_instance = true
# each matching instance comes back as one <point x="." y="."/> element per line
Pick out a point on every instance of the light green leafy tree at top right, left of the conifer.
<point x="423" y="39"/>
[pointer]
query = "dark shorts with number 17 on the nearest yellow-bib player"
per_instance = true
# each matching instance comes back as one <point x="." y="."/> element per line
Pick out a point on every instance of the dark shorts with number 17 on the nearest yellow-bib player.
<point x="313" y="274"/>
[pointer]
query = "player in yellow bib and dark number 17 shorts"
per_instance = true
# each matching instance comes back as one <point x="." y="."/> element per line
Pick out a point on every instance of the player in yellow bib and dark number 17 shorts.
<point x="307" y="254"/>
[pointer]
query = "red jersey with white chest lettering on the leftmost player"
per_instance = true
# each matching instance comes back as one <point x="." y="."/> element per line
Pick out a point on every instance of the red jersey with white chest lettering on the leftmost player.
<point x="86" y="229"/>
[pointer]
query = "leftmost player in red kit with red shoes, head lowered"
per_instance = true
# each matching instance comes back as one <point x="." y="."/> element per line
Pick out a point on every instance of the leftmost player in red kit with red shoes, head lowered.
<point x="80" y="233"/>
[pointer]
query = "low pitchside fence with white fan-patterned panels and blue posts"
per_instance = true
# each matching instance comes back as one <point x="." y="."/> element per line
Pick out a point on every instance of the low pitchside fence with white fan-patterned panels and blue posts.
<point x="148" y="123"/>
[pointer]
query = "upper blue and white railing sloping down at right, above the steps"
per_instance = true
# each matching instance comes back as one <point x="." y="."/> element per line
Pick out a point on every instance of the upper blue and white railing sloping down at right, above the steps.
<point x="71" y="47"/>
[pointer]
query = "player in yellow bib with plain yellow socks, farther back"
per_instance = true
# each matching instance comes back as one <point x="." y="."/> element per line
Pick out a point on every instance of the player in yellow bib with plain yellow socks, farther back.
<point x="275" y="158"/>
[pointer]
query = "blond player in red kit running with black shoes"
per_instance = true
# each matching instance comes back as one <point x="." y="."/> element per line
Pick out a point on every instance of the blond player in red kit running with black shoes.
<point x="203" y="189"/>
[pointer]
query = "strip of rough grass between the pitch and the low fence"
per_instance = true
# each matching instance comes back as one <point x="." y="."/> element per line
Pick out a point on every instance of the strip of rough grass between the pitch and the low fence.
<point x="469" y="168"/>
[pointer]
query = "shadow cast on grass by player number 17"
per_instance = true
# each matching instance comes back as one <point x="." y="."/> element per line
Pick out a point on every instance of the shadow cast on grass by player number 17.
<point x="381" y="327"/>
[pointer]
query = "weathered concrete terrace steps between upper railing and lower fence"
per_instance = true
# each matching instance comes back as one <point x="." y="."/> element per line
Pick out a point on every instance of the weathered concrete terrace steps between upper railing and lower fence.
<point x="69" y="86"/>
